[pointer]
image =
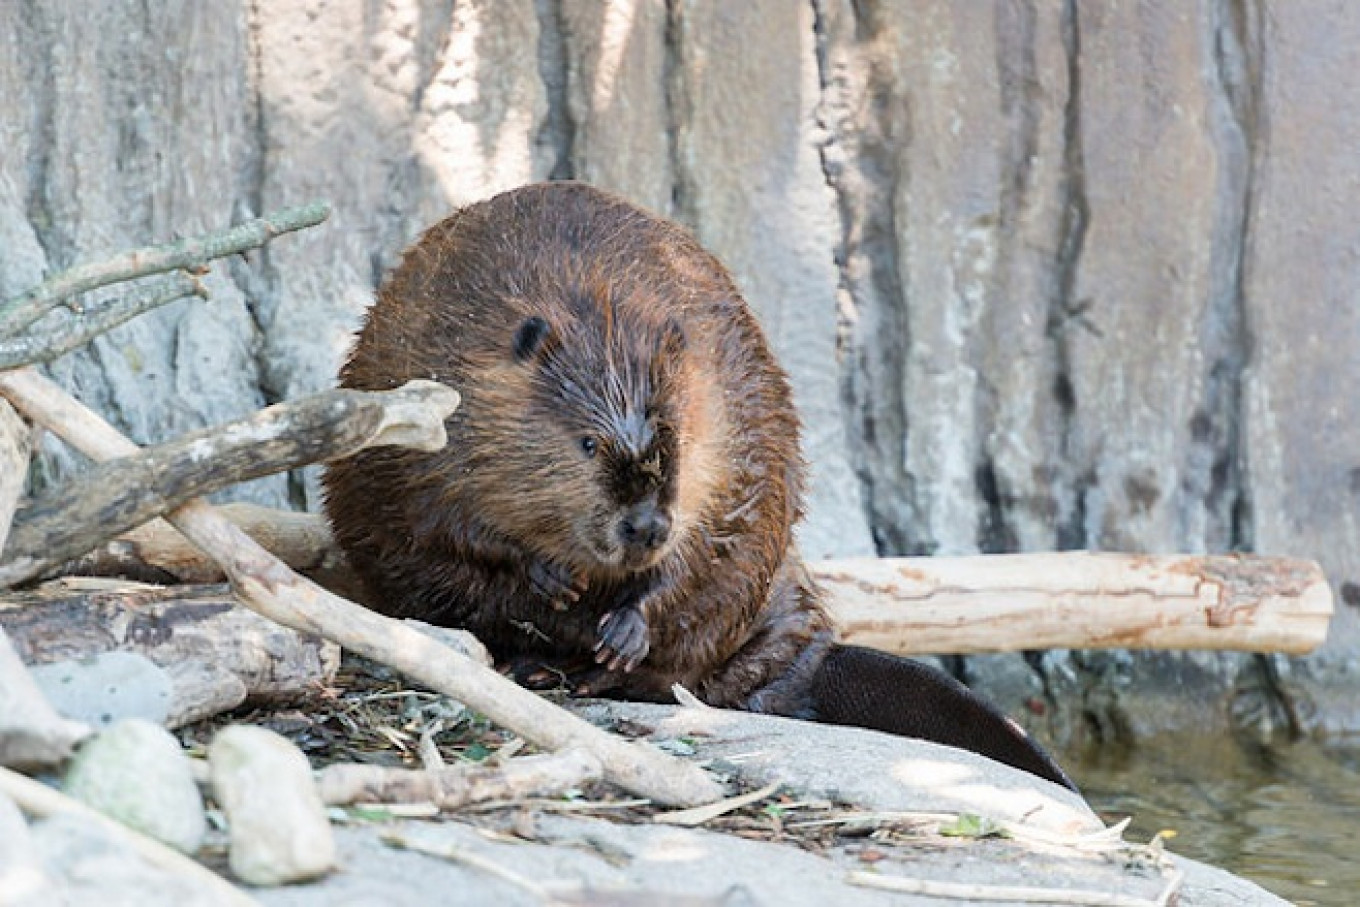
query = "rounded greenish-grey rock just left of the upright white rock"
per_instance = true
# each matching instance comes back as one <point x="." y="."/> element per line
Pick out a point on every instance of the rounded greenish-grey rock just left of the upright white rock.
<point x="137" y="773"/>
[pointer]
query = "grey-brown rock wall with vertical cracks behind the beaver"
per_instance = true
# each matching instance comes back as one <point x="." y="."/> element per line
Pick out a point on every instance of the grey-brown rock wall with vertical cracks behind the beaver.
<point x="1047" y="274"/>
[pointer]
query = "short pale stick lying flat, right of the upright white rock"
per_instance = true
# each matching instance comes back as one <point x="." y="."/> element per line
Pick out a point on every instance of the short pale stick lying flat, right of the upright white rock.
<point x="454" y="787"/>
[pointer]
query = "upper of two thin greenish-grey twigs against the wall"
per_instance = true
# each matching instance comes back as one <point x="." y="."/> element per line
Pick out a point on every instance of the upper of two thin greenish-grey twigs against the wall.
<point x="195" y="252"/>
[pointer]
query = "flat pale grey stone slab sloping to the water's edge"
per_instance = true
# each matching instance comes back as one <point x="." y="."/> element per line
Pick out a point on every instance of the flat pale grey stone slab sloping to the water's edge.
<point x="591" y="860"/>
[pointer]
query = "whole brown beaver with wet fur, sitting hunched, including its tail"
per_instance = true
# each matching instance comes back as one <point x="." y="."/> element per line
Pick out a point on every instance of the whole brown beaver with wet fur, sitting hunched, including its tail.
<point x="617" y="502"/>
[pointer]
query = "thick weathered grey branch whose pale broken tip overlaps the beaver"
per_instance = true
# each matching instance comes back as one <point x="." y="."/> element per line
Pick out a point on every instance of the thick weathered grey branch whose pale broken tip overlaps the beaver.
<point x="129" y="492"/>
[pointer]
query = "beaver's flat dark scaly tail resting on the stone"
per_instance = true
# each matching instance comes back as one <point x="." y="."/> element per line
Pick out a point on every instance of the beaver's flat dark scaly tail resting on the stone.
<point x="868" y="689"/>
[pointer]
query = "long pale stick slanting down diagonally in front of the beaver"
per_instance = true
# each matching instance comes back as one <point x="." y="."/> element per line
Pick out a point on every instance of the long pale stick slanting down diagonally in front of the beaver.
<point x="267" y="587"/>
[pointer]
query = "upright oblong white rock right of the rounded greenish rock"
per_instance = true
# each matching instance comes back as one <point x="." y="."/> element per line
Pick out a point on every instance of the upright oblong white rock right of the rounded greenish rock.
<point x="279" y="827"/>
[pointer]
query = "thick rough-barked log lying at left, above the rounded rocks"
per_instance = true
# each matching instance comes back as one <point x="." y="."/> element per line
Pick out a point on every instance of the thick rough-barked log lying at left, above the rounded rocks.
<point x="70" y="621"/>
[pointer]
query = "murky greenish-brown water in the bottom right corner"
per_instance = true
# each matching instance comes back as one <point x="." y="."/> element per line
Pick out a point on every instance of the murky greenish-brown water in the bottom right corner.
<point x="1286" y="817"/>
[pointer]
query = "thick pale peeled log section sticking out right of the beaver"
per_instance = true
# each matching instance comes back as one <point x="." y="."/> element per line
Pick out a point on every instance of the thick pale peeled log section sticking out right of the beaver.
<point x="1079" y="600"/>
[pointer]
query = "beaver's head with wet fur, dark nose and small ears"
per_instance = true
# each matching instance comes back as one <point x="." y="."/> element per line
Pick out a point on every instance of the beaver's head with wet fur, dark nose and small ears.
<point x="607" y="405"/>
